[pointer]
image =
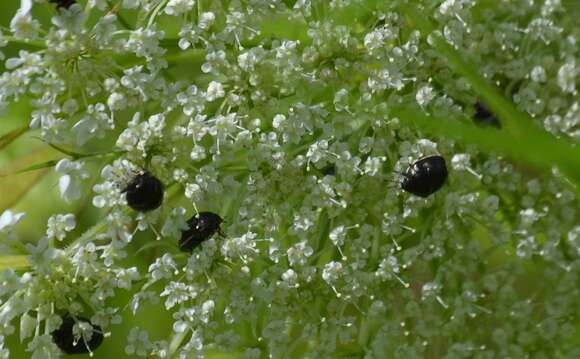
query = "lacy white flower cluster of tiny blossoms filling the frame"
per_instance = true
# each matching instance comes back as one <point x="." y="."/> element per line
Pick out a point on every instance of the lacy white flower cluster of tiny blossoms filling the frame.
<point x="278" y="116"/>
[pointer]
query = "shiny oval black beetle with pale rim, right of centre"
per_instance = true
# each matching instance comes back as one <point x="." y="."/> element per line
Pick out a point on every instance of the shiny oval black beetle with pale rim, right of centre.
<point x="425" y="176"/>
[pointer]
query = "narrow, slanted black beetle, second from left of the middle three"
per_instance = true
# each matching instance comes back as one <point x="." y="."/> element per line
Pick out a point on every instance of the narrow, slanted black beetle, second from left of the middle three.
<point x="200" y="228"/>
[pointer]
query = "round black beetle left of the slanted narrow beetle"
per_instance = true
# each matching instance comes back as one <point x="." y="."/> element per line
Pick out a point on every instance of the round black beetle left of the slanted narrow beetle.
<point x="144" y="192"/>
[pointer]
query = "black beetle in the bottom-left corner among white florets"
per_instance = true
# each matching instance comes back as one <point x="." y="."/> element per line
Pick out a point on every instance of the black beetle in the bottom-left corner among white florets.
<point x="64" y="338"/>
